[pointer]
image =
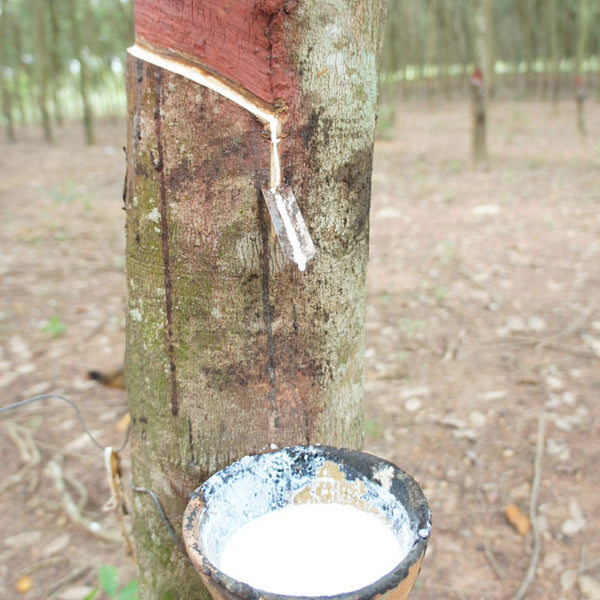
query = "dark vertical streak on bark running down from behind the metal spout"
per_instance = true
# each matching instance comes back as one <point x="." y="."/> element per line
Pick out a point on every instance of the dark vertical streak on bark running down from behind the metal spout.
<point x="266" y="298"/>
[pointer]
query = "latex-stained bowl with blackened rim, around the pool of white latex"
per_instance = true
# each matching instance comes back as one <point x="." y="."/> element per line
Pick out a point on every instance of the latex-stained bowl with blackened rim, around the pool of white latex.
<point x="256" y="485"/>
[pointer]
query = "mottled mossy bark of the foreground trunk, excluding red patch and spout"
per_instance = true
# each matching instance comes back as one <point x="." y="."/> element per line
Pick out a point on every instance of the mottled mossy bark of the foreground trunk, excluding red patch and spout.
<point x="230" y="349"/>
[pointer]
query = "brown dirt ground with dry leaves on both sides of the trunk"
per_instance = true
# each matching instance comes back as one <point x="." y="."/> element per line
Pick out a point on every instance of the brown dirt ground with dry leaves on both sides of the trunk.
<point x="483" y="348"/>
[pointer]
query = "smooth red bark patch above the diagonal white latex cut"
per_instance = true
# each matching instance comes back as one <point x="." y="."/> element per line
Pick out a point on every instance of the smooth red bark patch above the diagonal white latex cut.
<point x="241" y="40"/>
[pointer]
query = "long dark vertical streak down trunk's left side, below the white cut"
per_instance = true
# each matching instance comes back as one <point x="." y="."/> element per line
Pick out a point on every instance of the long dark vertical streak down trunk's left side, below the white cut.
<point x="159" y="165"/>
